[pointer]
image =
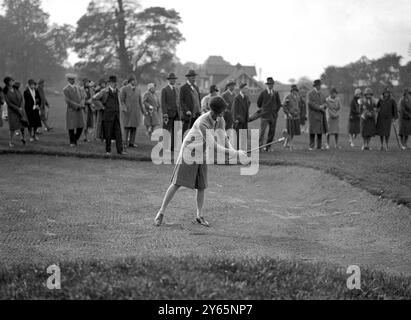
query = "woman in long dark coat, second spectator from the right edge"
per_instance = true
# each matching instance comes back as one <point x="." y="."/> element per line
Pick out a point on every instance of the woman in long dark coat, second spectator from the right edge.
<point x="387" y="111"/>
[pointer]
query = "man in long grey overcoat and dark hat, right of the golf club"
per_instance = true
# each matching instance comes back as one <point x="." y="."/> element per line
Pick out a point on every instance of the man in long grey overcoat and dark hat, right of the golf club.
<point x="317" y="120"/>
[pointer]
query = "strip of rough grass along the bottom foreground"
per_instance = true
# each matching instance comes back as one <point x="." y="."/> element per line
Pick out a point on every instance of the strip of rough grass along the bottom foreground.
<point x="197" y="278"/>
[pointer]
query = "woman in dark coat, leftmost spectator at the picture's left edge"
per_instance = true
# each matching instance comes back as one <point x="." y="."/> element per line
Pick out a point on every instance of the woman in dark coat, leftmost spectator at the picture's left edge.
<point x="15" y="110"/>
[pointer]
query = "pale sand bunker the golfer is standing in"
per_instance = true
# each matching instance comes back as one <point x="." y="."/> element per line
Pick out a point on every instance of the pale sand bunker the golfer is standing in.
<point x="54" y="209"/>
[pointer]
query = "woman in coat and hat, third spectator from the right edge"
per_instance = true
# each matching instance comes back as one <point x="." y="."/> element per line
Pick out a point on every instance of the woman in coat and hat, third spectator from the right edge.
<point x="368" y="115"/>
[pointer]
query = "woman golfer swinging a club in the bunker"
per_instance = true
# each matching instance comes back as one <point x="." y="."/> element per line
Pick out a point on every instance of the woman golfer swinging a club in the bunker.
<point x="194" y="176"/>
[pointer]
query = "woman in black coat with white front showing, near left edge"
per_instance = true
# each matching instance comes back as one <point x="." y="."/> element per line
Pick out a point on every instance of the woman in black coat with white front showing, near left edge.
<point x="32" y="107"/>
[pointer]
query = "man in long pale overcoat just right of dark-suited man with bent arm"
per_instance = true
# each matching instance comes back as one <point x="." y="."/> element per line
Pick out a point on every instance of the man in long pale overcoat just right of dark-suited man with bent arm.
<point x="133" y="112"/>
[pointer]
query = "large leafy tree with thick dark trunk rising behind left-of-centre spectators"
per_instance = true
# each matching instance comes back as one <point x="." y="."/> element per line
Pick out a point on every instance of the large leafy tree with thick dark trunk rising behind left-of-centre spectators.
<point x="116" y="35"/>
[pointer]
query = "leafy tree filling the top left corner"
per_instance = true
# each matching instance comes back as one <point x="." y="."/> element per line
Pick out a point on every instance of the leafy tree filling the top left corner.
<point x="30" y="47"/>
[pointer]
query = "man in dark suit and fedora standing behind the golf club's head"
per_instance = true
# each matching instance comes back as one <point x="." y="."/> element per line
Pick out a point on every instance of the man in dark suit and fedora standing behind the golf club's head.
<point x="269" y="103"/>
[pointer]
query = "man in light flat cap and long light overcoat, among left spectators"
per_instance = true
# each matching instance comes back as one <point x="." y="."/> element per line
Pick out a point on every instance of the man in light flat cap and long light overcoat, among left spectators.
<point x="75" y="101"/>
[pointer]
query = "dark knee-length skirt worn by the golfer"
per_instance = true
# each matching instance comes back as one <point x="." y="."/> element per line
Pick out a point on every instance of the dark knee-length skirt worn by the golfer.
<point x="192" y="176"/>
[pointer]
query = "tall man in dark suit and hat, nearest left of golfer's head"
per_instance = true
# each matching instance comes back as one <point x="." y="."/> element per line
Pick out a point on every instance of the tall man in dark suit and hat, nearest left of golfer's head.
<point x="190" y="101"/>
